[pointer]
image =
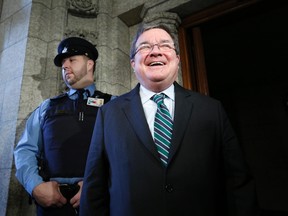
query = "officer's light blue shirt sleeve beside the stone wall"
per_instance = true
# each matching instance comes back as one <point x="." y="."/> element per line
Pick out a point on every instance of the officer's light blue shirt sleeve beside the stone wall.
<point x="26" y="151"/>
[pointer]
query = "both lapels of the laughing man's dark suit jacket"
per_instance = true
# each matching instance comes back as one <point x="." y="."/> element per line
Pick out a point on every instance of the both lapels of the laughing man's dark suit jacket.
<point x="133" y="110"/>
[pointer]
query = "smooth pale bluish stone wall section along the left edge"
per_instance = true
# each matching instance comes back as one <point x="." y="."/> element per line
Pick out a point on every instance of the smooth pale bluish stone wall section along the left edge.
<point x="14" y="26"/>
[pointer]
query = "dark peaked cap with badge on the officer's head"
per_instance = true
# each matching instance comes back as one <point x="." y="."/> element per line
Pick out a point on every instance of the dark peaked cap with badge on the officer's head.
<point x="75" y="46"/>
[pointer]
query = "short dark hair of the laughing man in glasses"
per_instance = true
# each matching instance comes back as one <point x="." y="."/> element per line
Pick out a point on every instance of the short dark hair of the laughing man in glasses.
<point x="146" y="27"/>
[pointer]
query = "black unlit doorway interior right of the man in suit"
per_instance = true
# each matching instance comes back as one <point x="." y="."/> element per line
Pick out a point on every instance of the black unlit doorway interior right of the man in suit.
<point x="246" y="54"/>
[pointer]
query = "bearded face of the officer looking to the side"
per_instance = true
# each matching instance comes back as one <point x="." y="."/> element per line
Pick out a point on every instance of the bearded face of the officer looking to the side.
<point x="77" y="71"/>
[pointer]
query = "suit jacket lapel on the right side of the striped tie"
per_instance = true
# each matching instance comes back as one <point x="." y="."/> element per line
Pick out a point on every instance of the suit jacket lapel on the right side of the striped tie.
<point x="183" y="110"/>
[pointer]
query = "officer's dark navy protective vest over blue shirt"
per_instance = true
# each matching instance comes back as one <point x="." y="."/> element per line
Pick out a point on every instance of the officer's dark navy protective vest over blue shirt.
<point x="66" y="136"/>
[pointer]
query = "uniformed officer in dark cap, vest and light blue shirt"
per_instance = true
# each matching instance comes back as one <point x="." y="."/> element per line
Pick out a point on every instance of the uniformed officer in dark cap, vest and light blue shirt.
<point x="50" y="157"/>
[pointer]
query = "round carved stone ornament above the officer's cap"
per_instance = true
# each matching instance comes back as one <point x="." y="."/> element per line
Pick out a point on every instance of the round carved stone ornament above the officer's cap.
<point x="83" y="8"/>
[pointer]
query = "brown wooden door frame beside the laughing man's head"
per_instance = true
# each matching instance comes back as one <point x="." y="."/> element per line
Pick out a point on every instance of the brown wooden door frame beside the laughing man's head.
<point x="191" y="46"/>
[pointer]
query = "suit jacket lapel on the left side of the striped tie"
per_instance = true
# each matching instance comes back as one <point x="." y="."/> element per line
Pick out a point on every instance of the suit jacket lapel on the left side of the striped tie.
<point x="134" y="113"/>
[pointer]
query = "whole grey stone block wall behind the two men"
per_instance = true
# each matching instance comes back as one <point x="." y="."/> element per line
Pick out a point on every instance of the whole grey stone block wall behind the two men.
<point x="30" y="31"/>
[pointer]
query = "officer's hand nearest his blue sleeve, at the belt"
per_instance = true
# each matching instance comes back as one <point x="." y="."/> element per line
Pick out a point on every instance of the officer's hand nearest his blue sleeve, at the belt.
<point x="47" y="195"/>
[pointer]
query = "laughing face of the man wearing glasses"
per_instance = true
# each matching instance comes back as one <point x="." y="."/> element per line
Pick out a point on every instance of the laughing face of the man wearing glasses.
<point x="155" y="66"/>
